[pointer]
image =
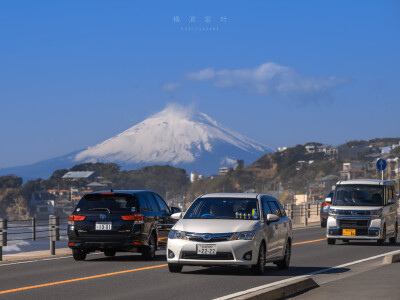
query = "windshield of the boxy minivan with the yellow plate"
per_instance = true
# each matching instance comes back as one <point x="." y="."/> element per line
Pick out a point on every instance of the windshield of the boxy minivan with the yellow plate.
<point x="358" y="195"/>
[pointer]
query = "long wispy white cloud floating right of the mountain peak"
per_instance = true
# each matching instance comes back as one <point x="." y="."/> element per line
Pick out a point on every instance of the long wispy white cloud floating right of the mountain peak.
<point x="268" y="79"/>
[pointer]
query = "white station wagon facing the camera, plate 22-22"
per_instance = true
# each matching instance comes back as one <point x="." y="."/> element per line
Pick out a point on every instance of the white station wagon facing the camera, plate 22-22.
<point x="231" y="229"/>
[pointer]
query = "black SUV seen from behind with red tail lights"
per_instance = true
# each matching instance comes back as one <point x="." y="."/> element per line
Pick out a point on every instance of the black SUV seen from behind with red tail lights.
<point x="119" y="221"/>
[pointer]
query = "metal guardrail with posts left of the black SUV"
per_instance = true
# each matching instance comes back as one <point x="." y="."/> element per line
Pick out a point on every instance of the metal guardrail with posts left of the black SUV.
<point x="11" y="230"/>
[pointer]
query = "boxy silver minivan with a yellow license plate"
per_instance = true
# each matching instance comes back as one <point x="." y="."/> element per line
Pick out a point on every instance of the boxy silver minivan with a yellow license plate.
<point x="364" y="209"/>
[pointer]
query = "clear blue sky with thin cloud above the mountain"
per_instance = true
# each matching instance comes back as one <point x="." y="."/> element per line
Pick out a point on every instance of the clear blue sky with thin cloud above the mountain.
<point x="74" y="73"/>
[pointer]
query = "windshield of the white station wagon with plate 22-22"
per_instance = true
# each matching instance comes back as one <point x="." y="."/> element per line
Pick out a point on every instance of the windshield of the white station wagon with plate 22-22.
<point x="224" y="208"/>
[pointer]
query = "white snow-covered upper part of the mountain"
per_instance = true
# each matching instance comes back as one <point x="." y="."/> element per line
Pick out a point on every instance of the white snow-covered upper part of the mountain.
<point x="175" y="136"/>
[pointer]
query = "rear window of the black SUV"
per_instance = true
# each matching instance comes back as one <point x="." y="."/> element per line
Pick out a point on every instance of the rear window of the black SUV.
<point x="114" y="202"/>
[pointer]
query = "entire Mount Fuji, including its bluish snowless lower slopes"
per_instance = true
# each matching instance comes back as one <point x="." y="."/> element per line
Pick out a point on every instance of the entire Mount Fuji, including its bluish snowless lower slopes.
<point x="176" y="136"/>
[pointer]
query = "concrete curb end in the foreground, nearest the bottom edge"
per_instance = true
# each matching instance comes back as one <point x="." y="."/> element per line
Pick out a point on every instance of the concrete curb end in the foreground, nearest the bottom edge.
<point x="281" y="291"/>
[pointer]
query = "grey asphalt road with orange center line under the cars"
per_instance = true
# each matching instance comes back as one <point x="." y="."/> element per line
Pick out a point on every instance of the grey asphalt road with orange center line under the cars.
<point x="129" y="277"/>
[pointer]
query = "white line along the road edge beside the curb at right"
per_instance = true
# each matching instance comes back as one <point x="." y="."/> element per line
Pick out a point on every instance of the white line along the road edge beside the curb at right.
<point x="302" y="276"/>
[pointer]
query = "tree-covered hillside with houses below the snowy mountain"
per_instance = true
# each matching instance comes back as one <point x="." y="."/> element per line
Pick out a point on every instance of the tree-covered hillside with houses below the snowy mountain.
<point x="284" y="174"/>
